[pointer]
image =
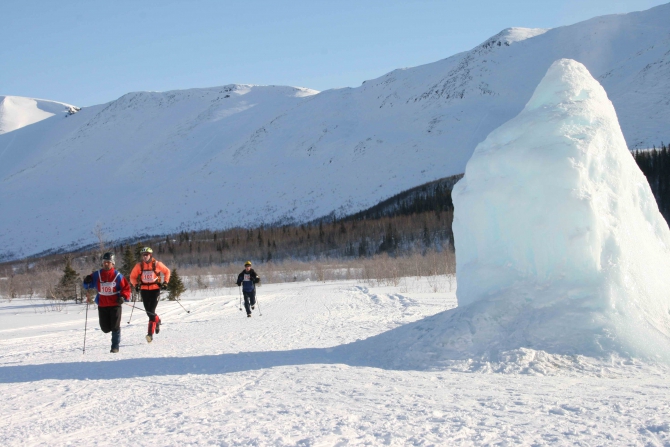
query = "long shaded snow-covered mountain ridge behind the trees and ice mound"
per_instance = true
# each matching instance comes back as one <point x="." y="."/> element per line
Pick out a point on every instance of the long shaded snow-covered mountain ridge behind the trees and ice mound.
<point x="241" y="155"/>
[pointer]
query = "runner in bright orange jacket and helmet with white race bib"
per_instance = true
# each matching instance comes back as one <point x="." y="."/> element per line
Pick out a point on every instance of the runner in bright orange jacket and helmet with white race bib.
<point x="146" y="278"/>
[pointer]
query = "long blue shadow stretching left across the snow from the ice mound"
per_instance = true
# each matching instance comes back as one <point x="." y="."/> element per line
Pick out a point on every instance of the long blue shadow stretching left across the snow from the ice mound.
<point x="386" y="351"/>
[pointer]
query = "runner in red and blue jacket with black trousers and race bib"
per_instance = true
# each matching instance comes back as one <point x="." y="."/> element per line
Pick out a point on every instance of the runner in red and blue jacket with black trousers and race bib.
<point x="113" y="290"/>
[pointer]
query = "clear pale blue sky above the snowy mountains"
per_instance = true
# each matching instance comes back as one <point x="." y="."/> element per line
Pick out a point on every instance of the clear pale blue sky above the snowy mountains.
<point x="92" y="52"/>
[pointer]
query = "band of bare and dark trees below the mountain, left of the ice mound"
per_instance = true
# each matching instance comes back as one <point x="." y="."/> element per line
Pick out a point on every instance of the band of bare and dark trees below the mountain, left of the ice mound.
<point x="417" y="221"/>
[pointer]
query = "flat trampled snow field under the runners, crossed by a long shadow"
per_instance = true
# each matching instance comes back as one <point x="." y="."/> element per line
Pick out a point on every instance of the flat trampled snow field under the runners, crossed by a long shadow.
<point x="302" y="374"/>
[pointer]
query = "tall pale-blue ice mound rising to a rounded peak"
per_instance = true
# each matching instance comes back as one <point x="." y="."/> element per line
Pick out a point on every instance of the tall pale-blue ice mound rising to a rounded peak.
<point x="560" y="245"/>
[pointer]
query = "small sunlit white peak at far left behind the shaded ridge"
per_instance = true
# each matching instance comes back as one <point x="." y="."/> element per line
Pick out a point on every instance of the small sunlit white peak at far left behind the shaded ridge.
<point x="17" y="112"/>
